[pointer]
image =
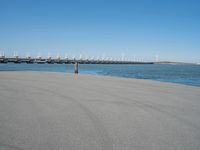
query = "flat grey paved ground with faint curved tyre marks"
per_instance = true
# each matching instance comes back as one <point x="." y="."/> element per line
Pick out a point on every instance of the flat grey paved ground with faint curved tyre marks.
<point x="58" y="111"/>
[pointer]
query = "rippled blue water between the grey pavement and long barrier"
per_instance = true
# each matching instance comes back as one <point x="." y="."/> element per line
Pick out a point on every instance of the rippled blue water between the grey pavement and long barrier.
<point x="184" y="74"/>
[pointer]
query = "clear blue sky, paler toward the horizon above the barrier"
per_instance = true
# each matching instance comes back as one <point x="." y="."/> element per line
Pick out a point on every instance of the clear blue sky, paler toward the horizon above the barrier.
<point x="142" y="28"/>
